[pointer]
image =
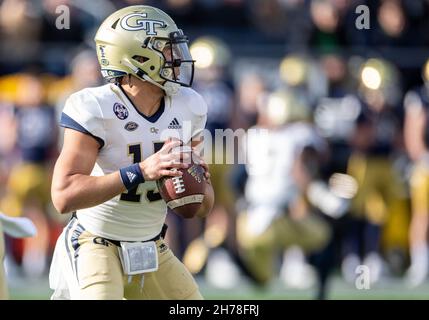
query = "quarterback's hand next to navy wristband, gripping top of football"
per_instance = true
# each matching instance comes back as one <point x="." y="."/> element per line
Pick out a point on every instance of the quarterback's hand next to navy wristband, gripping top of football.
<point x="164" y="162"/>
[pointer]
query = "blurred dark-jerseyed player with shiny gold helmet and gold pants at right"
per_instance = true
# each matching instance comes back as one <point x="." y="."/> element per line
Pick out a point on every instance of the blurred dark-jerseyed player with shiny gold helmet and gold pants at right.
<point x="376" y="144"/>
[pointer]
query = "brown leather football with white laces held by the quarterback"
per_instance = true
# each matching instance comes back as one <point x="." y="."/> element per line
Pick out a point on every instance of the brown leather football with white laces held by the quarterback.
<point x="184" y="194"/>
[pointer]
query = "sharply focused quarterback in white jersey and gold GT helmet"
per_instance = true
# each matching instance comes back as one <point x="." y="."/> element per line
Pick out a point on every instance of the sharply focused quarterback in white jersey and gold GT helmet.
<point x="115" y="148"/>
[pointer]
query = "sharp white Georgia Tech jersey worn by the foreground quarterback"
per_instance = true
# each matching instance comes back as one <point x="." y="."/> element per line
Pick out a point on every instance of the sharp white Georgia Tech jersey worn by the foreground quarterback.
<point x="126" y="136"/>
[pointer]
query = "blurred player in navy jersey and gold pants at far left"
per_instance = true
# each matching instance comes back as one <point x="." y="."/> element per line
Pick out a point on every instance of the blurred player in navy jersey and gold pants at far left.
<point x="28" y="186"/>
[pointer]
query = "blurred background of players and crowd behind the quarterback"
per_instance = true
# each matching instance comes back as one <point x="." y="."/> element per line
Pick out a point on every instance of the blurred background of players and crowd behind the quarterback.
<point x="347" y="115"/>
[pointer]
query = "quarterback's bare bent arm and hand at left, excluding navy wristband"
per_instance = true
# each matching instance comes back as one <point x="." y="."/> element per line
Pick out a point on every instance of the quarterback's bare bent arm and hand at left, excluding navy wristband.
<point x="72" y="186"/>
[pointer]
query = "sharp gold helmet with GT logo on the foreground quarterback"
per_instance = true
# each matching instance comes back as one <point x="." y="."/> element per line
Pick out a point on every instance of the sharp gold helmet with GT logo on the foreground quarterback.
<point x="145" y="42"/>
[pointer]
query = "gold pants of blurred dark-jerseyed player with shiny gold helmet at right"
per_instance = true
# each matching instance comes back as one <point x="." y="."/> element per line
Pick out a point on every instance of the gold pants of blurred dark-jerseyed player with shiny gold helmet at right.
<point x="381" y="198"/>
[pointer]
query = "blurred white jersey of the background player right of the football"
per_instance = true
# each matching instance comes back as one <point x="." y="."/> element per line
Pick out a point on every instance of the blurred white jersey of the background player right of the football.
<point x="271" y="158"/>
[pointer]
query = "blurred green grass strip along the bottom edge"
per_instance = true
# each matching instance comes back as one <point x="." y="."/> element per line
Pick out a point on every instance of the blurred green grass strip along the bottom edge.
<point x="391" y="290"/>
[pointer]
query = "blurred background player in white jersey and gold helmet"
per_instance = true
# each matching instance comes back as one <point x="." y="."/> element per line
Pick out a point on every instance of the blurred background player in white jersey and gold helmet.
<point x="280" y="165"/>
